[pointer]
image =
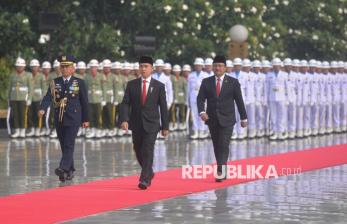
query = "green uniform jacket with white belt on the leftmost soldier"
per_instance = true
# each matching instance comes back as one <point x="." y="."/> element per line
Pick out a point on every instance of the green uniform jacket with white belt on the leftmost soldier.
<point x="20" y="88"/>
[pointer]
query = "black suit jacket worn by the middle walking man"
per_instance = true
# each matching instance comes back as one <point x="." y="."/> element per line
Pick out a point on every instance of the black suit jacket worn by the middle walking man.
<point x="147" y="115"/>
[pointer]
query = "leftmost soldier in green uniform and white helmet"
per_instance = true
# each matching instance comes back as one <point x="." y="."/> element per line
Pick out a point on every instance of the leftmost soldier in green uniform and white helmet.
<point x="19" y="95"/>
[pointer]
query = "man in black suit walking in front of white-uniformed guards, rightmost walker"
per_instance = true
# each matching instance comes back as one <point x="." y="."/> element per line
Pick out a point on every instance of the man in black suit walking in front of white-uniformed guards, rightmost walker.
<point x="221" y="92"/>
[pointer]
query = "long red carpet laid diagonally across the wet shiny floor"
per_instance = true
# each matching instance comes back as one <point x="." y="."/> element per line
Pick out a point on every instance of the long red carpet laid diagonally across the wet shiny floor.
<point x="72" y="202"/>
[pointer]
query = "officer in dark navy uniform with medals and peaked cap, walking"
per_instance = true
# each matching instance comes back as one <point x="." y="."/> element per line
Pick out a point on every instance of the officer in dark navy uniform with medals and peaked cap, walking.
<point x="70" y="101"/>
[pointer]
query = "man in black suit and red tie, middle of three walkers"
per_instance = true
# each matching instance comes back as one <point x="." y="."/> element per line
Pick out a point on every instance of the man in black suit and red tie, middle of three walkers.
<point x="142" y="100"/>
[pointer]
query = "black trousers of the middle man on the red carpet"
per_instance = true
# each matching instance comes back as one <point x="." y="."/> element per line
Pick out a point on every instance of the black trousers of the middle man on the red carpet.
<point x="144" y="150"/>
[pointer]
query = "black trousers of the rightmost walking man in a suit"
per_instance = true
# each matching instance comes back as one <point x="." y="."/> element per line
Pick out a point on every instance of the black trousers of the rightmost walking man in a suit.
<point x="221" y="141"/>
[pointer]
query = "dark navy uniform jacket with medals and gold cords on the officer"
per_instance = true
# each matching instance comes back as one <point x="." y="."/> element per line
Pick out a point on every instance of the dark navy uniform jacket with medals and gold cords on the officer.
<point x="75" y="91"/>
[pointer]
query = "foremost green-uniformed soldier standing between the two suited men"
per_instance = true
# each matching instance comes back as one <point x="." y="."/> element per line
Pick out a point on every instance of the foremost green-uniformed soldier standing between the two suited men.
<point x="178" y="112"/>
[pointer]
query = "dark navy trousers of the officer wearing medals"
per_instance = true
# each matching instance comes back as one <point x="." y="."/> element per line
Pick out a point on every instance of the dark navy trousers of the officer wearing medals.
<point x="67" y="136"/>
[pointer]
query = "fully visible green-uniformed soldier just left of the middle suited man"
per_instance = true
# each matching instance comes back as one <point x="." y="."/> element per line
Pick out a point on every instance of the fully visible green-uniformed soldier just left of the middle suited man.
<point x="118" y="91"/>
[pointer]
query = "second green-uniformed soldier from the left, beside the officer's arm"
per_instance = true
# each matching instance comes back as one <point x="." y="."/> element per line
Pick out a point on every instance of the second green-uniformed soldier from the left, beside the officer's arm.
<point x="38" y="84"/>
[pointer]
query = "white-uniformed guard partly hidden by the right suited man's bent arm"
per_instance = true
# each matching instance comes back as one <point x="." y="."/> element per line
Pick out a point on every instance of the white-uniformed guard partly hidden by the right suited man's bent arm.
<point x="194" y="81"/>
